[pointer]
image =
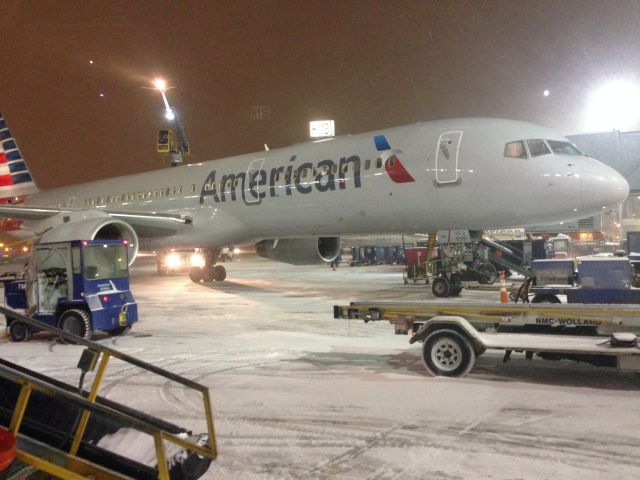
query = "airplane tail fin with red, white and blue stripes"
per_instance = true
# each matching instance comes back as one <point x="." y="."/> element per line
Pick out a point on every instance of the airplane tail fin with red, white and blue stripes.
<point x="15" y="179"/>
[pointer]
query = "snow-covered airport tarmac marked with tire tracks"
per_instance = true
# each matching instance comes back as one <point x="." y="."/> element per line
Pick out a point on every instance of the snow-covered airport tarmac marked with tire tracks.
<point x="298" y="394"/>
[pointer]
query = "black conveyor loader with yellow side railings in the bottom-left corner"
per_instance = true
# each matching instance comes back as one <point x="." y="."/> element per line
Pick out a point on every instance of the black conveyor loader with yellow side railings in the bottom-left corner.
<point x="67" y="432"/>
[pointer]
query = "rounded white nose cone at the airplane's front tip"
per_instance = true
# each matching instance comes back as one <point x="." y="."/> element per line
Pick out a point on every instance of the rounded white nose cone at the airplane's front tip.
<point x="602" y="188"/>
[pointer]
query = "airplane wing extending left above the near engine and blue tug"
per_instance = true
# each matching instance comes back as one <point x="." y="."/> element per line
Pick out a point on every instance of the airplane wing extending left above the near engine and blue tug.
<point x="146" y="224"/>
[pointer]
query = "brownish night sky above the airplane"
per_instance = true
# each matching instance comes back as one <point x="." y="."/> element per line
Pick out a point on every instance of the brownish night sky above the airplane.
<point x="254" y="72"/>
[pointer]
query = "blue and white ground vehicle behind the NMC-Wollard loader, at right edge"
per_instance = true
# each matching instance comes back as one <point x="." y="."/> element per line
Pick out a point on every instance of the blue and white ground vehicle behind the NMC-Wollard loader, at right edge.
<point x="597" y="280"/>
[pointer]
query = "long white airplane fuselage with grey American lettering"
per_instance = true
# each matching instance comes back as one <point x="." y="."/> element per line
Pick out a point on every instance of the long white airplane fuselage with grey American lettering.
<point x="461" y="179"/>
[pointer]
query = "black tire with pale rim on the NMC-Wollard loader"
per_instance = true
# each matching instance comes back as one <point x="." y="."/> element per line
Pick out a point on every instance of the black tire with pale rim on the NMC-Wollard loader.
<point x="447" y="353"/>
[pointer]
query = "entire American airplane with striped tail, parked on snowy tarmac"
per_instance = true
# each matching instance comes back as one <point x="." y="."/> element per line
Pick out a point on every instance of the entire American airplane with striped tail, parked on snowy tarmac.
<point x="294" y="203"/>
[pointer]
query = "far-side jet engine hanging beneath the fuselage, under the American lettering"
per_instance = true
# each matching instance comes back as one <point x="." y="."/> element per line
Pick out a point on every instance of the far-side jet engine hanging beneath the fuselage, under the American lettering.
<point x="300" y="251"/>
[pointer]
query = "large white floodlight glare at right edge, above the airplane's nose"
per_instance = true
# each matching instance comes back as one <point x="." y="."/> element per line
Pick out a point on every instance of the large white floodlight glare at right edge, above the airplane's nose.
<point x="614" y="106"/>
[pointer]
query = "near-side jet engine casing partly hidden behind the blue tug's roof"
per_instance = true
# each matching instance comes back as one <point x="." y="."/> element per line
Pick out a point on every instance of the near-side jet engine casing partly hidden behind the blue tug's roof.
<point x="96" y="228"/>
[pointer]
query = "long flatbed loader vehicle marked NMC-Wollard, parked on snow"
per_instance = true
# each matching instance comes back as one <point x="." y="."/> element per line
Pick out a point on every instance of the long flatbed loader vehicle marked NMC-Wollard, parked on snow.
<point x="453" y="335"/>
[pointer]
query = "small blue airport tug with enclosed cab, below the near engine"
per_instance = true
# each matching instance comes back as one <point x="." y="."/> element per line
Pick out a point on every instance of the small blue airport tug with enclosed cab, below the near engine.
<point x="79" y="286"/>
